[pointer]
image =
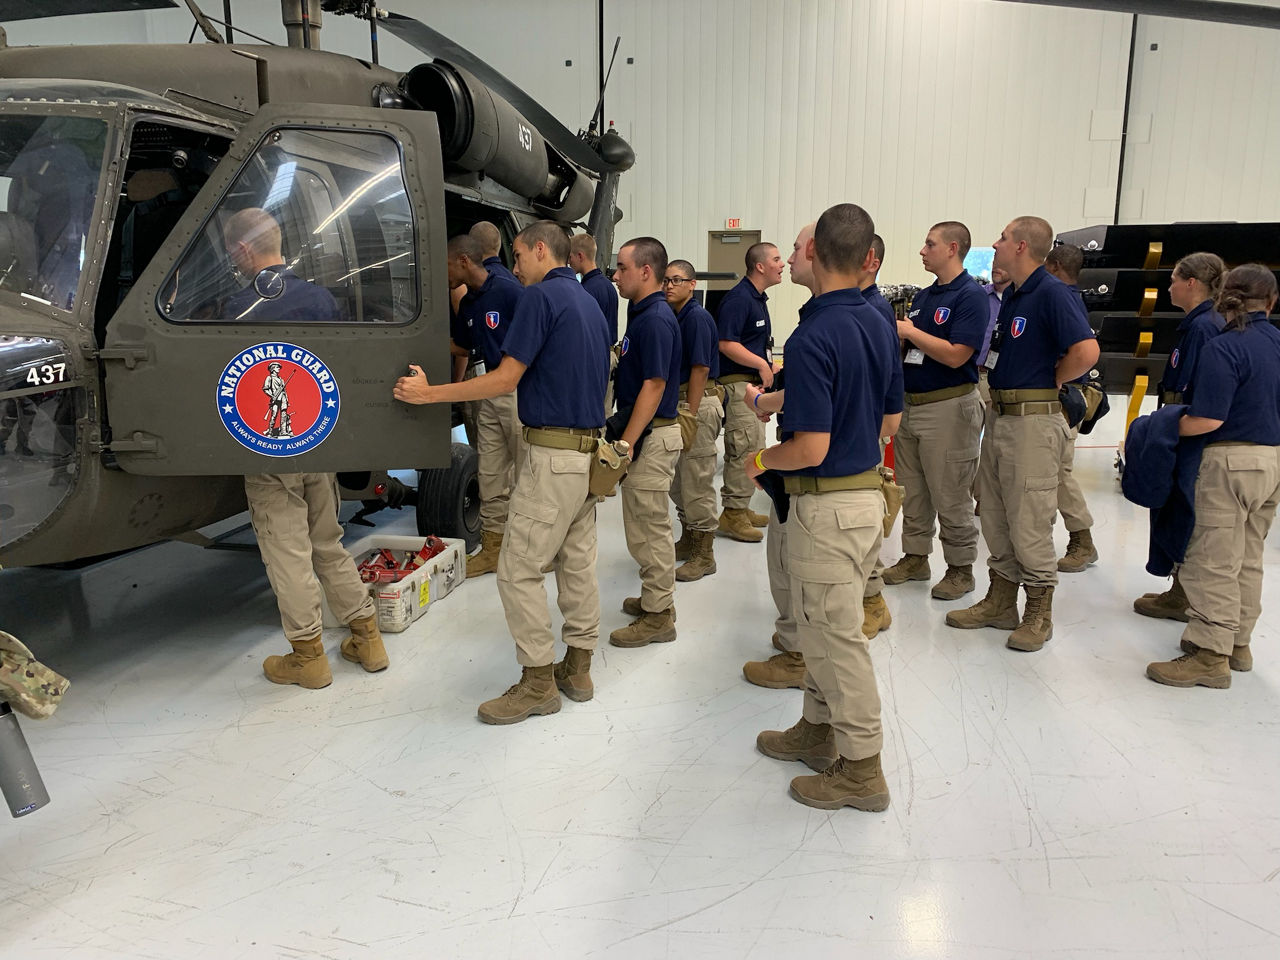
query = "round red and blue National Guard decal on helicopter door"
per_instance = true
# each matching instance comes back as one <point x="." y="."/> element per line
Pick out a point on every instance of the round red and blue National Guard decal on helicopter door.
<point x="278" y="400"/>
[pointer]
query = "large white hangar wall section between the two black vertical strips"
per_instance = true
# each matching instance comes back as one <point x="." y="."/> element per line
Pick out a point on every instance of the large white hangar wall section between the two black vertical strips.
<point x="921" y="111"/>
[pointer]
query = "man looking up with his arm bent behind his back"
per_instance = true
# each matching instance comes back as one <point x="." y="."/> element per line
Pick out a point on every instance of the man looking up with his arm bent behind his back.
<point x="1043" y="340"/>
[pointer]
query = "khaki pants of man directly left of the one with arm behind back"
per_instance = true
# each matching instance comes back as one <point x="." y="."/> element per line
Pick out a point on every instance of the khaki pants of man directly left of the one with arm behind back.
<point x="936" y="460"/>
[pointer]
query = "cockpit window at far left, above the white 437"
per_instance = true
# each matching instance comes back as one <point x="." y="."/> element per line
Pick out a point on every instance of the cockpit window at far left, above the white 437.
<point x="49" y="172"/>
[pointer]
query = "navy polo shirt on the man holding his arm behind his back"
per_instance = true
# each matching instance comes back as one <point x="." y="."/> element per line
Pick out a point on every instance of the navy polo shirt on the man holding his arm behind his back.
<point x="1037" y="324"/>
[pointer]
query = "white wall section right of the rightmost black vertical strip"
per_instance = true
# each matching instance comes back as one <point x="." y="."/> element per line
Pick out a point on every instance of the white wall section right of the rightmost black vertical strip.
<point x="1212" y="94"/>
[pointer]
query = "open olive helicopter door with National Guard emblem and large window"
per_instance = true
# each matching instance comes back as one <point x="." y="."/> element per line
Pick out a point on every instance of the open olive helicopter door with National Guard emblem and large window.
<point x="267" y="333"/>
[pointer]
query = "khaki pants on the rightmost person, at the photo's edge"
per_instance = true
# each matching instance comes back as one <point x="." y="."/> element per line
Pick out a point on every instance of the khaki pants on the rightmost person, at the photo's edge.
<point x="1236" y="502"/>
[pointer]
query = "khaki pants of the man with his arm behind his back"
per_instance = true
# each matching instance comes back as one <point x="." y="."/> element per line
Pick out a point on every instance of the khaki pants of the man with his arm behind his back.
<point x="1018" y="488"/>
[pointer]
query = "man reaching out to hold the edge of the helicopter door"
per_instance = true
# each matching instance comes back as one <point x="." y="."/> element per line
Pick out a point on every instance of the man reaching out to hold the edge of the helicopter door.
<point x="556" y="351"/>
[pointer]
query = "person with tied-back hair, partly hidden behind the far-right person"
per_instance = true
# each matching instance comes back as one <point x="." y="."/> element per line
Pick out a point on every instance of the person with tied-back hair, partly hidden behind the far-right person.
<point x="1195" y="286"/>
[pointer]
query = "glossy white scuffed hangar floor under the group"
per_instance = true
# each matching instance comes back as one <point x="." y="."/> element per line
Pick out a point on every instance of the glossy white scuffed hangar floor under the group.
<point x="1052" y="804"/>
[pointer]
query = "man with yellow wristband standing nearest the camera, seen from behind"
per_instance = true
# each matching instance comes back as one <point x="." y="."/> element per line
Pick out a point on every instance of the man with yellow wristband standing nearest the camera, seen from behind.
<point x="844" y="392"/>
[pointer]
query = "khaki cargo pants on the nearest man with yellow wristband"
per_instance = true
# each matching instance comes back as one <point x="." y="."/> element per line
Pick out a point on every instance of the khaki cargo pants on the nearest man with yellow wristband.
<point x="833" y="543"/>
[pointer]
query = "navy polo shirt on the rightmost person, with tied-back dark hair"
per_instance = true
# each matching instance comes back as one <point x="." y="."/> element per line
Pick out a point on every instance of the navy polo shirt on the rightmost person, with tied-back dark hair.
<point x="1238" y="382"/>
